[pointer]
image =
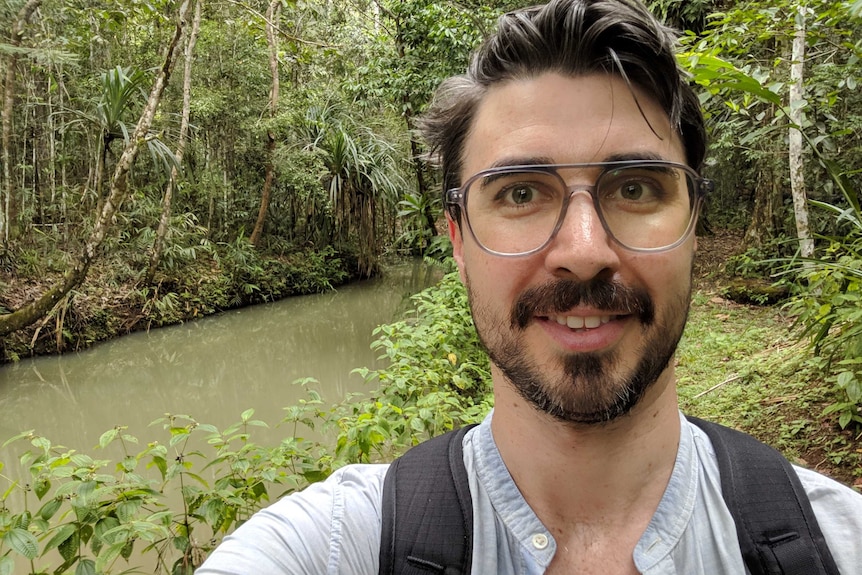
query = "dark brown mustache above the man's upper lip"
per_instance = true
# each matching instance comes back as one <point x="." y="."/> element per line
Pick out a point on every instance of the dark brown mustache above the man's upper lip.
<point x="562" y="295"/>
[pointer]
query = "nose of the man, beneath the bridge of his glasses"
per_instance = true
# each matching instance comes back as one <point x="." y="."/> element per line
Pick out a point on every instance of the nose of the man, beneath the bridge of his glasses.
<point x="582" y="249"/>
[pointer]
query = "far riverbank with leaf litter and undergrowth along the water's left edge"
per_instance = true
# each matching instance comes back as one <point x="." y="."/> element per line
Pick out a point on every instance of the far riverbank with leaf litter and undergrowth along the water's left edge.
<point x="111" y="302"/>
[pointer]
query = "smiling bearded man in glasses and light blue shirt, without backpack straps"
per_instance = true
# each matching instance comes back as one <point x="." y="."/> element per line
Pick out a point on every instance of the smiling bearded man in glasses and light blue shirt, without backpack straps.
<point x="569" y="153"/>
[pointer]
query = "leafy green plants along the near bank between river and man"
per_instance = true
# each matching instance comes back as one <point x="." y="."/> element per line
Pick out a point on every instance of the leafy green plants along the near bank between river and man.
<point x="173" y="498"/>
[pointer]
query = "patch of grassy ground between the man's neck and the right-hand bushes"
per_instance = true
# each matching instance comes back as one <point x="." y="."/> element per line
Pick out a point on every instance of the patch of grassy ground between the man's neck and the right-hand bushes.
<point x="742" y="366"/>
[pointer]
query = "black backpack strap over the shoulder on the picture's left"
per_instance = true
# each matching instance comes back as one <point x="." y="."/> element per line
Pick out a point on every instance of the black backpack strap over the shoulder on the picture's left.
<point x="432" y="531"/>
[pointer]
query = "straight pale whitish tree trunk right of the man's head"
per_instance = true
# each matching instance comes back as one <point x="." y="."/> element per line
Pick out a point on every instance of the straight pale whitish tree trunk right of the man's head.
<point x="795" y="104"/>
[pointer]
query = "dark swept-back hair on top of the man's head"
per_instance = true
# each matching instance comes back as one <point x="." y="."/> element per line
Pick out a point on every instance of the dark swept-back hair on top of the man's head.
<point x="574" y="38"/>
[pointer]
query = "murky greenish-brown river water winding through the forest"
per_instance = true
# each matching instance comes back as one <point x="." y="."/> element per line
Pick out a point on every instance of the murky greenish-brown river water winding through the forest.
<point x="211" y="369"/>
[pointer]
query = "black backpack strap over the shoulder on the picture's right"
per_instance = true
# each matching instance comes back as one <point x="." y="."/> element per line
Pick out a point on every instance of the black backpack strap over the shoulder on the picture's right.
<point x="777" y="531"/>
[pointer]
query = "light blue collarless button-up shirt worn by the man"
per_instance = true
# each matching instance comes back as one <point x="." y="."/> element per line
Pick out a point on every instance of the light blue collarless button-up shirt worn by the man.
<point x="333" y="527"/>
